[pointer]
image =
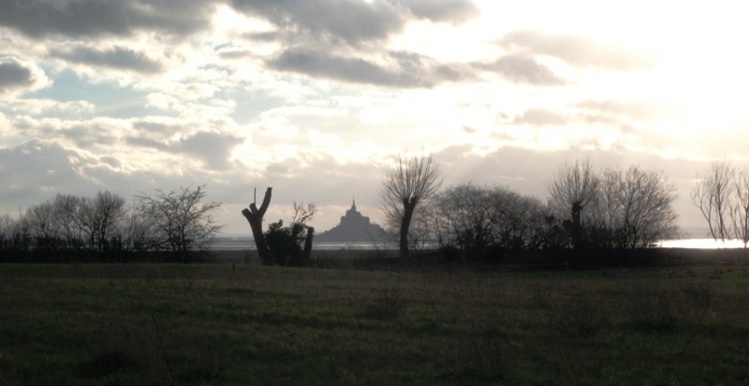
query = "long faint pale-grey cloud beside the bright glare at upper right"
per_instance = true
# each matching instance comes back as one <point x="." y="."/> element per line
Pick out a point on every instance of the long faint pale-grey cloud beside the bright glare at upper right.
<point x="576" y="50"/>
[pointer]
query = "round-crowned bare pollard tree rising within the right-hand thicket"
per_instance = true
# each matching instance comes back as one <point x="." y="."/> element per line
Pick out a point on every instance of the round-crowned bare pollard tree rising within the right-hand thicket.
<point x="574" y="188"/>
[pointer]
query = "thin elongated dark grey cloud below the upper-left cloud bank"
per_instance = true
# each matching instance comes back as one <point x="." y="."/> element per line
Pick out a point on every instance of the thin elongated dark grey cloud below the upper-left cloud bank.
<point x="116" y="57"/>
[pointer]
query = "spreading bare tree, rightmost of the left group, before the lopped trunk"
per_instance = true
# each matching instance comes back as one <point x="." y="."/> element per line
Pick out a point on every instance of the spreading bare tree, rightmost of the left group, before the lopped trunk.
<point x="183" y="221"/>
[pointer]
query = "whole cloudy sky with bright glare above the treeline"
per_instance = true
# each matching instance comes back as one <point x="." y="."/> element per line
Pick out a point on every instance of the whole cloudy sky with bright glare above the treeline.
<point x="317" y="98"/>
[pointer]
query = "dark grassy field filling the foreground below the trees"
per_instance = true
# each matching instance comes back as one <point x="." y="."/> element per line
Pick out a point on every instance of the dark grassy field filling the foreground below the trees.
<point x="251" y="325"/>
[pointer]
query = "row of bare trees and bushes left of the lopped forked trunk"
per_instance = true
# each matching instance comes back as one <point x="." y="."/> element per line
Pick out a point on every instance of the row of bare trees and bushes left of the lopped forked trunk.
<point x="105" y="228"/>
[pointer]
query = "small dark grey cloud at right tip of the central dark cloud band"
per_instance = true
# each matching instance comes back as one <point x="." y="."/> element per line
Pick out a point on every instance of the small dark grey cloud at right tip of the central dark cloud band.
<point x="522" y="69"/>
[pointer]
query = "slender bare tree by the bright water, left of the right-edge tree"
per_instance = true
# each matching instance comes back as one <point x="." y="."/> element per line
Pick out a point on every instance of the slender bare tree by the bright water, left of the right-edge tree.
<point x="712" y="195"/>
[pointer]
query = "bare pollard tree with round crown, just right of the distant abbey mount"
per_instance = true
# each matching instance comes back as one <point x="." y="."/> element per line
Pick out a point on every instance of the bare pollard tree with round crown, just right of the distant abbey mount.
<point x="405" y="185"/>
